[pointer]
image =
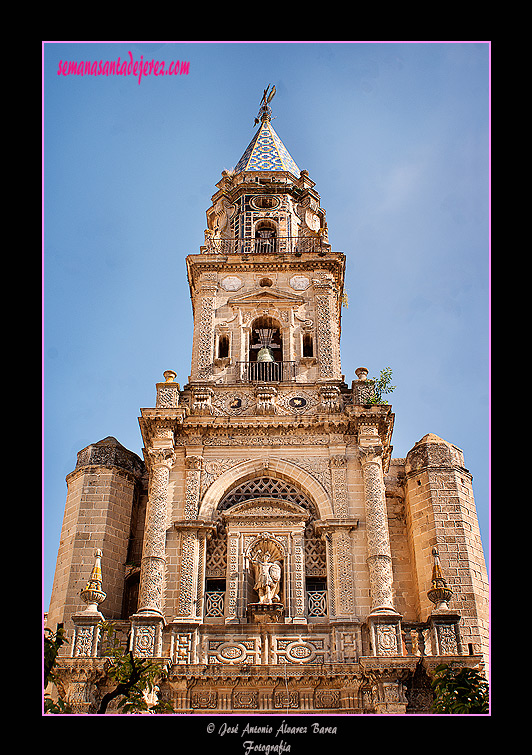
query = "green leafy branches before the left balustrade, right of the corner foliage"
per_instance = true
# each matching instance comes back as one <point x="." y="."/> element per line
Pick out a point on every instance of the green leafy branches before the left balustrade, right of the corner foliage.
<point x="135" y="678"/>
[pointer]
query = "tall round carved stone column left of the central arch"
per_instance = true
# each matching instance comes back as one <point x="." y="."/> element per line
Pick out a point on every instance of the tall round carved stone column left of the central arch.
<point x="153" y="565"/>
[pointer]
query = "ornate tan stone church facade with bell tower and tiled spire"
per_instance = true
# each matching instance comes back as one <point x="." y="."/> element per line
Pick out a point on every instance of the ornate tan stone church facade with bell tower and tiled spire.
<point x="269" y="545"/>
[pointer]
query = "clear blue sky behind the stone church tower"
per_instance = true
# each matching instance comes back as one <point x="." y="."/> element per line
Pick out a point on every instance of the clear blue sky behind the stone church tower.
<point x="396" y="137"/>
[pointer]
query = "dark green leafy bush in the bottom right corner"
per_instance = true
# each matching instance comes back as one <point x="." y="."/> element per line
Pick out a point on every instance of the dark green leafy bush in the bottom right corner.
<point x="459" y="691"/>
